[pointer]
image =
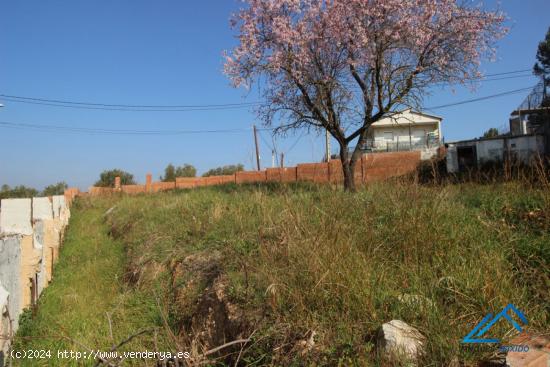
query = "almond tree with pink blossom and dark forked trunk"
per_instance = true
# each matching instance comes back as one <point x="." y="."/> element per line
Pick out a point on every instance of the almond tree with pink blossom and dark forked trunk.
<point x="342" y="65"/>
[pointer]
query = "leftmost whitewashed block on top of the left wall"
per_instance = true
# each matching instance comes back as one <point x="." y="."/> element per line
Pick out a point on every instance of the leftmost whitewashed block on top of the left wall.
<point x="15" y="216"/>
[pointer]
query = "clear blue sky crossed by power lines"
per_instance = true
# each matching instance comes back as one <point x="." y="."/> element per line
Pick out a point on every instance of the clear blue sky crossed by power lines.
<point x="170" y="52"/>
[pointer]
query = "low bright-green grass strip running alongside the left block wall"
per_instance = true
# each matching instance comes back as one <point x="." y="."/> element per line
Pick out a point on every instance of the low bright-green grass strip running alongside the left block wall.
<point x="87" y="287"/>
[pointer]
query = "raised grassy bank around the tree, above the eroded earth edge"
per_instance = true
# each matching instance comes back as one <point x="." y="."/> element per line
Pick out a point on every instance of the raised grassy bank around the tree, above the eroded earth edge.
<point x="314" y="259"/>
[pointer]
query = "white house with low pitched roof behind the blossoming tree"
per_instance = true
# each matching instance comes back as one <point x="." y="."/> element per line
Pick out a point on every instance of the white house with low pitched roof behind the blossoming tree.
<point x="405" y="130"/>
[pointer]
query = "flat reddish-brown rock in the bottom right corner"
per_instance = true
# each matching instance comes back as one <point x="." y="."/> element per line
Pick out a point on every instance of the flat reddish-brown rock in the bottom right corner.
<point x="538" y="354"/>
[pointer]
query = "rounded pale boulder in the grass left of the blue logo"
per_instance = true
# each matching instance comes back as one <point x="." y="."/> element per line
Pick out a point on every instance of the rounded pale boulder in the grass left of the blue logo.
<point x="398" y="340"/>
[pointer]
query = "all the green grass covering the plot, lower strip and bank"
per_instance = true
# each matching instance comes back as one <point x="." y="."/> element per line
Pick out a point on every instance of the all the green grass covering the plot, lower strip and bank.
<point x="282" y="262"/>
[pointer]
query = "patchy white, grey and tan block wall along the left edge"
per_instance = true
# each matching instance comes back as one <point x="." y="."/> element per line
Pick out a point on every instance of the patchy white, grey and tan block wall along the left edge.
<point x="31" y="232"/>
